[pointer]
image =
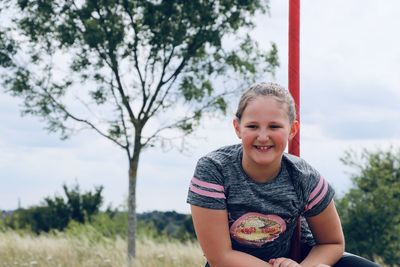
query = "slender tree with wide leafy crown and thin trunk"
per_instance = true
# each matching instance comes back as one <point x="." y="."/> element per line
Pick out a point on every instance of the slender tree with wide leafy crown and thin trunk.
<point x="139" y="73"/>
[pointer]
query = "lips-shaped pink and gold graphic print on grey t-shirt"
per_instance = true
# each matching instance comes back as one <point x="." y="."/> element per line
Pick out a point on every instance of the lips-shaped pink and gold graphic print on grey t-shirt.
<point x="256" y="229"/>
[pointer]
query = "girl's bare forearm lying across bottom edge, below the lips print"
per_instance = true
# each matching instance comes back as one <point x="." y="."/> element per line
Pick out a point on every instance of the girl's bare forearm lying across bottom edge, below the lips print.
<point x="234" y="258"/>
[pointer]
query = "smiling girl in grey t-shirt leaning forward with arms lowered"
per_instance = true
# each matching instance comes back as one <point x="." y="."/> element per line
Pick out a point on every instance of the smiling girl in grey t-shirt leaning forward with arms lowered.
<point x="246" y="198"/>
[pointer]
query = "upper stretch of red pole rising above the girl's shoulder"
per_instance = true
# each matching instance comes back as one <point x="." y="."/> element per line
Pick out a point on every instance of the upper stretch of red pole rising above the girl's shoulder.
<point x="294" y="66"/>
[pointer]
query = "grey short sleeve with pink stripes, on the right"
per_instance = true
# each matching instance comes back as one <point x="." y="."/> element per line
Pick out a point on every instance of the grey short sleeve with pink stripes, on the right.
<point x="318" y="194"/>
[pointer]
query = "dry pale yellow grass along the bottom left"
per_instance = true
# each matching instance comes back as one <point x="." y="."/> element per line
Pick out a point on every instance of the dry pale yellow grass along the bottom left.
<point x="59" y="250"/>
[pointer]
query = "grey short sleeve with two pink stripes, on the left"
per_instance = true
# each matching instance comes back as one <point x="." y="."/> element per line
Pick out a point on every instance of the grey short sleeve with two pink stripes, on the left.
<point x="206" y="187"/>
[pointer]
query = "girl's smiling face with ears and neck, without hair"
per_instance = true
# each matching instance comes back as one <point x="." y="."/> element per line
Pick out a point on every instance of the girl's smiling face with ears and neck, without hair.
<point x="265" y="130"/>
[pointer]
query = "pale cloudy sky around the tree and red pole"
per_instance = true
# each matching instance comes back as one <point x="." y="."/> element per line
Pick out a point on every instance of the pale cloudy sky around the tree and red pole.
<point x="350" y="100"/>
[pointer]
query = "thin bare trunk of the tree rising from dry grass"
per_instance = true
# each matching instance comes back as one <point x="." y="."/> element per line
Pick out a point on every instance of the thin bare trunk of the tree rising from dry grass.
<point x="133" y="168"/>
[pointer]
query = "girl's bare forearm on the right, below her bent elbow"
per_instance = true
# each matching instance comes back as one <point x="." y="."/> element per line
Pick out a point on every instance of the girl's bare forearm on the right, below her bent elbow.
<point x="323" y="253"/>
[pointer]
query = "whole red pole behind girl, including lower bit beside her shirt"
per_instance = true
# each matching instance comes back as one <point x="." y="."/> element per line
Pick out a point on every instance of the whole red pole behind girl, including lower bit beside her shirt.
<point x="294" y="88"/>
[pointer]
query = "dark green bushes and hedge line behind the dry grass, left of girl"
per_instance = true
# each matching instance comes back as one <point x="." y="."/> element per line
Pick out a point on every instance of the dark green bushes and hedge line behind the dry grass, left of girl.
<point x="61" y="213"/>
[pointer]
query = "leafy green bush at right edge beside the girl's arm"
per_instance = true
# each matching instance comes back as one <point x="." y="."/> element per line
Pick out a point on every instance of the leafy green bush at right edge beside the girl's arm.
<point x="369" y="211"/>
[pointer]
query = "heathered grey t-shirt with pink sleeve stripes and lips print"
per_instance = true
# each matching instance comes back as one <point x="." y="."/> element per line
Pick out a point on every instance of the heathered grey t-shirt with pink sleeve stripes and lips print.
<point x="262" y="216"/>
